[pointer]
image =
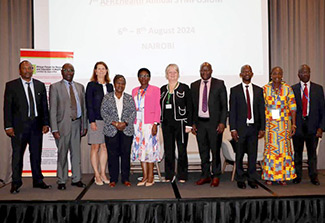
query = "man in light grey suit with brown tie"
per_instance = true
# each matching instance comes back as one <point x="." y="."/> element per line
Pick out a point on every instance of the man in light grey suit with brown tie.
<point x="68" y="123"/>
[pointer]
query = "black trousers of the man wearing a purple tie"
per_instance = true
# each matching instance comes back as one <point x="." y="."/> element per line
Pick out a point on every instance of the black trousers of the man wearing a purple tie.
<point x="209" y="141"/>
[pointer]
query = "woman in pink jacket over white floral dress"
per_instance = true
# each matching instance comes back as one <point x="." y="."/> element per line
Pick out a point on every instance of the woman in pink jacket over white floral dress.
<point x="146" y="143"/>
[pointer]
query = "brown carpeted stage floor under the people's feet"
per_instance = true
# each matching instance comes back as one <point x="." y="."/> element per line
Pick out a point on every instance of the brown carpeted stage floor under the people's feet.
<point x="160" y="190"/>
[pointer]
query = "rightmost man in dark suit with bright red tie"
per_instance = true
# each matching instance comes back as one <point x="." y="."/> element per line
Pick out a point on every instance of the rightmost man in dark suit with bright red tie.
<point x="310" y="122"/>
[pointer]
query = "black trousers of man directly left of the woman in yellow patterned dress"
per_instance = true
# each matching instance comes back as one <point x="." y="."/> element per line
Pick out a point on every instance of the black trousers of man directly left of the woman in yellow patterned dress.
<point x="247" y="143"/>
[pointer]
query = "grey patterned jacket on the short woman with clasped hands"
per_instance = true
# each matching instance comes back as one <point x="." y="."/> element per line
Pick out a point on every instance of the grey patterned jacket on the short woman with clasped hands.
<point x="109" y="114"/>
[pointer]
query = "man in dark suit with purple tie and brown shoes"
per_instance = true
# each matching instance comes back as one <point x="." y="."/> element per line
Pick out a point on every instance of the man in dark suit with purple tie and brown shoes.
<point x="209" y="97"/>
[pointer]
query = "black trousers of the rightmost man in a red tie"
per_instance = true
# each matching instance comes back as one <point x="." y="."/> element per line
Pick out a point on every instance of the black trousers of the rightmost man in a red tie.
<point x="311" y="144"/>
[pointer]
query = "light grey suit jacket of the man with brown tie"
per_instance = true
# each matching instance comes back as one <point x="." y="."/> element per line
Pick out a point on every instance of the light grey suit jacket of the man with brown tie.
<point x="60" y="111"/>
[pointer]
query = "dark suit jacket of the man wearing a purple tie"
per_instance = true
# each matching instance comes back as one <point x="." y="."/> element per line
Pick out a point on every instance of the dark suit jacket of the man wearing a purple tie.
<point x="217" y="101"/>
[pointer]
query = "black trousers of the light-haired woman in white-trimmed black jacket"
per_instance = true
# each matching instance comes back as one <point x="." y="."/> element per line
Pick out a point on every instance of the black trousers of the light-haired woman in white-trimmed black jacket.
<point x="171" y="132"/>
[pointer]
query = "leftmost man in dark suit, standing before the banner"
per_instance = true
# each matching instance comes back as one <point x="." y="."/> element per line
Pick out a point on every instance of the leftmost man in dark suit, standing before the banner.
<point x="26" y="119"/>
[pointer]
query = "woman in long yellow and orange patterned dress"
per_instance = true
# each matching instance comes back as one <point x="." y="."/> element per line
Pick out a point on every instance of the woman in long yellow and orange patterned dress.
<point x="280" y="113"/>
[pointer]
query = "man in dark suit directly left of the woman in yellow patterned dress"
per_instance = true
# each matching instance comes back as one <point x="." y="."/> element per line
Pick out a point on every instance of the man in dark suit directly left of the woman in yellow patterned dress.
<point x="247" y="124"/>
